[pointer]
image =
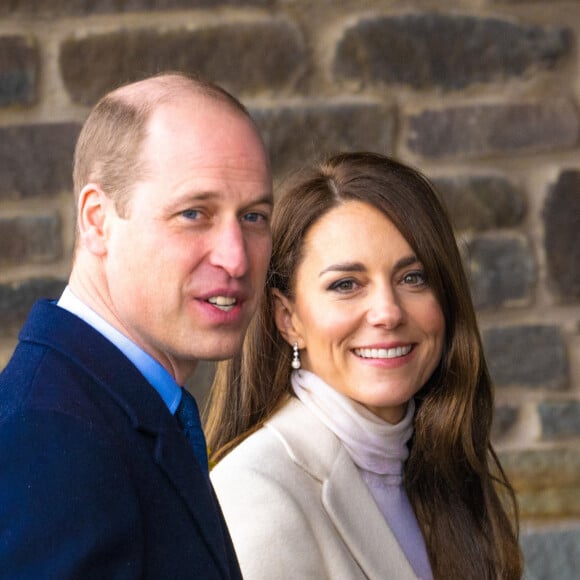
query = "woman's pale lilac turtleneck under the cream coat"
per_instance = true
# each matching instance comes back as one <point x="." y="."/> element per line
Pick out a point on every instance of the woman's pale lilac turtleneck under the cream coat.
<point x="379" y="450"/>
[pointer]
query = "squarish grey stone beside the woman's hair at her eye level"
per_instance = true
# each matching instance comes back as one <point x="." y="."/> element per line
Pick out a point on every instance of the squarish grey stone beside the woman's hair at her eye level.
<point x="502" y="271"/>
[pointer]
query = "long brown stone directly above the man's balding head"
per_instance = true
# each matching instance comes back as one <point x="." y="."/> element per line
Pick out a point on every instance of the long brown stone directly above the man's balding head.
<point x="261" y="56"/>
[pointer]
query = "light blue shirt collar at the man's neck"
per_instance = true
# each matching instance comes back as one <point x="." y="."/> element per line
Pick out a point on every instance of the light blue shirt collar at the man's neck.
<point x="150" y="368"/>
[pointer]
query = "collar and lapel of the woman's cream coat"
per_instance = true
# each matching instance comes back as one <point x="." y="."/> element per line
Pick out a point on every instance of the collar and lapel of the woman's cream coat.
<point x="345" y="496"/>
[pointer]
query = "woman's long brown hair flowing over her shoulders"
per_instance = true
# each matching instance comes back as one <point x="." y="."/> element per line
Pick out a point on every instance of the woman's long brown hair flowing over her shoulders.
<point x="464" y="504"/>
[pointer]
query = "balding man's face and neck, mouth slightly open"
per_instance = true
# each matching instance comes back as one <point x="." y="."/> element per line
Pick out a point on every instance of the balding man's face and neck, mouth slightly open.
<point x="187" y="265"/>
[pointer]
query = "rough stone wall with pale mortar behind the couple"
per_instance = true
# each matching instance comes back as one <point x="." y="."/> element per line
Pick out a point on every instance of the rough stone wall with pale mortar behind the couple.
<point x="482" y="95"/>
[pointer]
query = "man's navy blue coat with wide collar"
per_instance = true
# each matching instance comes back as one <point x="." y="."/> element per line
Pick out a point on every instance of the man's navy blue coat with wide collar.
<point x="96" y="479"/>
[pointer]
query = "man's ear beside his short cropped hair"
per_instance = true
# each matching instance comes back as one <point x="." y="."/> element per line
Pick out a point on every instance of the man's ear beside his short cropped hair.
<point x="93" y="206"/>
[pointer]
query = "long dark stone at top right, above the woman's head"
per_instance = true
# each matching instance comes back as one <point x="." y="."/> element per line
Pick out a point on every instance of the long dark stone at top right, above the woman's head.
<point x="452" y="52"/>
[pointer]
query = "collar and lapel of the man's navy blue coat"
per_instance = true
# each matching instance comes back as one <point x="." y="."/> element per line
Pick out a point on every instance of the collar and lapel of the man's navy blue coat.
<point x="56" y="328"/>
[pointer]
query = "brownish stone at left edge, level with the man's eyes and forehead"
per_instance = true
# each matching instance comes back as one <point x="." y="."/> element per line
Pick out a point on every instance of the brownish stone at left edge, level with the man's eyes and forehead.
<point x="36" y="160"/>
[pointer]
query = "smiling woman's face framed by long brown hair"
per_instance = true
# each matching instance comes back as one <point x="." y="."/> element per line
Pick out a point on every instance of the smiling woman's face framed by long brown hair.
<point x="365" y="318"/>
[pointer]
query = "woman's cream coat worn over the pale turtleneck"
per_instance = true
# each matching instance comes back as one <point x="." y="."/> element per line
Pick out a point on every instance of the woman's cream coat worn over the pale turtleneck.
<point x="297" y="508"/>
